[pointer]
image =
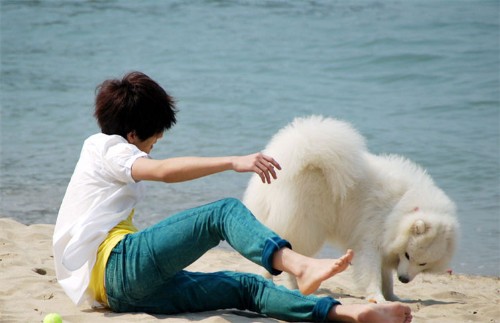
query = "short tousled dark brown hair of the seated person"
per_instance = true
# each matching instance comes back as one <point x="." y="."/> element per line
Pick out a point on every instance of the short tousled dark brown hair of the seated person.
<point x="134" y="103"/>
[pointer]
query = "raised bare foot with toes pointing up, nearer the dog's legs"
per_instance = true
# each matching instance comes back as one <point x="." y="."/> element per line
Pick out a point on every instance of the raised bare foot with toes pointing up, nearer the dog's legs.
<point x="315" y="271"/>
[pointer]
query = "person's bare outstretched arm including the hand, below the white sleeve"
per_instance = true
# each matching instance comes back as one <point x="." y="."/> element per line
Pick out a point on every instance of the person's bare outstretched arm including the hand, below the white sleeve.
<point x="182" y="169"/>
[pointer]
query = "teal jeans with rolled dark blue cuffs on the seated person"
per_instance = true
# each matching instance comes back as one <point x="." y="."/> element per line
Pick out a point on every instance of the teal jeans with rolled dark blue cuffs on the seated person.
<point x="145" y="271"/>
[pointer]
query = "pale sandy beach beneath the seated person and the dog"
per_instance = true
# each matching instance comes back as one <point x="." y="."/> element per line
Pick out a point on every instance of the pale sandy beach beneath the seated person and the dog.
<point x="29" y="289"/>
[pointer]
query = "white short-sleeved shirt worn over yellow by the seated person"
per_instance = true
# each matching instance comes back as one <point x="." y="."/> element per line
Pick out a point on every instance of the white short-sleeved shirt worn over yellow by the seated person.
<point x="101" y="193"/>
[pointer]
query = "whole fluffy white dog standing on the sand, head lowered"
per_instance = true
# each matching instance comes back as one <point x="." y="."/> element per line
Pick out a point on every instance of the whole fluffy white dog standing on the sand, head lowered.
<point x="332" y="189"/>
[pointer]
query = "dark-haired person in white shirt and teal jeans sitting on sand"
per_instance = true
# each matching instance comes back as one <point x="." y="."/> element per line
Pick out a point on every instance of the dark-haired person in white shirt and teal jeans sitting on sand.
<point x="100" y="255"/>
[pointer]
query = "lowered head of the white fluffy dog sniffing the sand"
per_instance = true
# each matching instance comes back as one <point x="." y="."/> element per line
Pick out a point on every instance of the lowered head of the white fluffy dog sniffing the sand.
<point x="430" y="244"/>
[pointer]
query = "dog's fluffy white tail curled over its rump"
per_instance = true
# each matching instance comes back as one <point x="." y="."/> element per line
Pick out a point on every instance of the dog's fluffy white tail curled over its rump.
<point x="332" y="146"/>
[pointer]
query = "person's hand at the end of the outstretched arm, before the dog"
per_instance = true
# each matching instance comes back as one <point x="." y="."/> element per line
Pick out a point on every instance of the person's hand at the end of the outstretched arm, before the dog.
<point x="259" y="163"/>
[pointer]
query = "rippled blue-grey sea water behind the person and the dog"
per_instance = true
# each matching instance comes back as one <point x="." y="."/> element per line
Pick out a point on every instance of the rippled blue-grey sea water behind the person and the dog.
<point x="416" y="78"/>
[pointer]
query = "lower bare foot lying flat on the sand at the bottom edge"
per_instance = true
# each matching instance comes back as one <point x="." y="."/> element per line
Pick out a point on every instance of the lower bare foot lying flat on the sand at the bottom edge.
<point x="372" y="313"/>
